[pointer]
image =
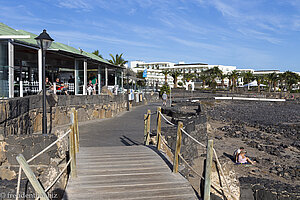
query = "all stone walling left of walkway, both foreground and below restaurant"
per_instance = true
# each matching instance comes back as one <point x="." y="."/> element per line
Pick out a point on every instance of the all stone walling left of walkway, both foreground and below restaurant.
<point x="20" y="133"/>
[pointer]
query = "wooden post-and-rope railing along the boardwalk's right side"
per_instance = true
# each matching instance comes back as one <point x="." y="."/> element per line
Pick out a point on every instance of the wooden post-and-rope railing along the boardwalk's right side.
<point x="174" y="154"/>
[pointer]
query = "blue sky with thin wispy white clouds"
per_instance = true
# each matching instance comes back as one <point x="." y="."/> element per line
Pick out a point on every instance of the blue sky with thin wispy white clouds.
<point x="259" y="34"/>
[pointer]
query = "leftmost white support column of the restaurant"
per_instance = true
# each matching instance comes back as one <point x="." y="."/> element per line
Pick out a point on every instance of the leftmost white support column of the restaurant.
<point x="11" y="69"/>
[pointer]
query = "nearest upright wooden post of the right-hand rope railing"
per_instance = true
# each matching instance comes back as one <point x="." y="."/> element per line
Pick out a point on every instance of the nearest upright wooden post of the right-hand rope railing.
<point x="209" y="155"/>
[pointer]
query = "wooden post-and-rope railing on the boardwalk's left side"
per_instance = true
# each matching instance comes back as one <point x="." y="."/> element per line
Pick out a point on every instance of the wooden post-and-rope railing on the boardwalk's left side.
<point x="73" y="146"/>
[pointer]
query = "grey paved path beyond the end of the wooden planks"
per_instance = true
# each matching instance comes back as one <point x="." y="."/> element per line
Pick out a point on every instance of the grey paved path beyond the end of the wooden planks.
<point x="125" y="129"/>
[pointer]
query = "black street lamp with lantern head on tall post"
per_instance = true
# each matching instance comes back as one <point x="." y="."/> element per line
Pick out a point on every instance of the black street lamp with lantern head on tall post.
<point x="44" y="41"/>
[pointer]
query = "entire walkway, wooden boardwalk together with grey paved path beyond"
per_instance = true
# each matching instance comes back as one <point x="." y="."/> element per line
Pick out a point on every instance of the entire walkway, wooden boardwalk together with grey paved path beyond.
<point x="112" y="164"/>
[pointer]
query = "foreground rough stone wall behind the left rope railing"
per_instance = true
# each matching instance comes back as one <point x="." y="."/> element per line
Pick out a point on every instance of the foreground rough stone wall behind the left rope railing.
<point x="46" y="166"/>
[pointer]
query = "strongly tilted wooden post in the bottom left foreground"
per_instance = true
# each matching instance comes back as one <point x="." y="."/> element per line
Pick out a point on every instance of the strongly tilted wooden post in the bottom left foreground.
<point x="33" y="180"/>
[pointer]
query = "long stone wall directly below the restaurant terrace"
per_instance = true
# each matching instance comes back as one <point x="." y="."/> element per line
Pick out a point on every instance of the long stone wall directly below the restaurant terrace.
<point x="23" y="116"/>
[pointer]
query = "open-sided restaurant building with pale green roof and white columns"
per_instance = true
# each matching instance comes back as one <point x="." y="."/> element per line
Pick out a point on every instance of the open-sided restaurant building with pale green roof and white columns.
<point x="21" y="66"/>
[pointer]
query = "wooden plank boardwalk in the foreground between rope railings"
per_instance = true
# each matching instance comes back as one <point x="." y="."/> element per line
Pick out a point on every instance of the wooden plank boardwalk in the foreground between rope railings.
<point x="125" y="172"/>
